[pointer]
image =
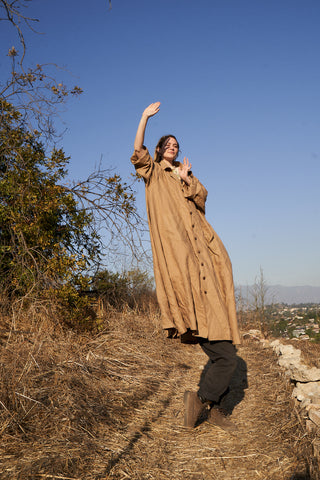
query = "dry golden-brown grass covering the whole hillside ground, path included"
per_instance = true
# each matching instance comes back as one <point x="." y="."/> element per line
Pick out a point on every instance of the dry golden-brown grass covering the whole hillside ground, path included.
<point x="110" y="406"/>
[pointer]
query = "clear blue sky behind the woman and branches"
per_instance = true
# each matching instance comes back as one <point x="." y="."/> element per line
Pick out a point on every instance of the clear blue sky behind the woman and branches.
<point x="239" y="86"/>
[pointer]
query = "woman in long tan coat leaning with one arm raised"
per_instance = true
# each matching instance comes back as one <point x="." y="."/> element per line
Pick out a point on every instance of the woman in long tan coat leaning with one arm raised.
<point x="192" y="269"/>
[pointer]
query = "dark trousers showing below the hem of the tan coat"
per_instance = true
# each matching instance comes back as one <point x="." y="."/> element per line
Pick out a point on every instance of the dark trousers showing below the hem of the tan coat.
<point x="216" y="376"/>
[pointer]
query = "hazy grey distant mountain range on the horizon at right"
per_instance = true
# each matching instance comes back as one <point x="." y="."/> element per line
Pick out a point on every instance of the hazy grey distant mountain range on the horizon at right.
<point x="290" y="295"/>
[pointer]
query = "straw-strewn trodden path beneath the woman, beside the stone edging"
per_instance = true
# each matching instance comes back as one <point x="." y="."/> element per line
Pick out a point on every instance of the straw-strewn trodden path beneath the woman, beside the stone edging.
<point x="267" y="445"/>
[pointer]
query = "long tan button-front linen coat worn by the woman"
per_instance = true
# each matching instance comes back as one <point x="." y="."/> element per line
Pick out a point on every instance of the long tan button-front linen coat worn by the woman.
<point x="192" y="269"/>
